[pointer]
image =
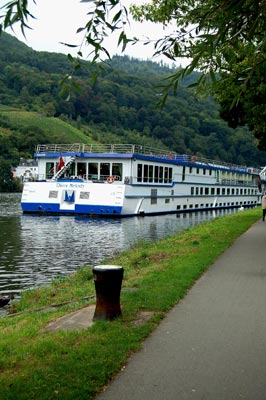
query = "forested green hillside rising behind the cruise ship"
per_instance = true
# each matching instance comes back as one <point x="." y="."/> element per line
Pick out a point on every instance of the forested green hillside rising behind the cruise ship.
<point x="120" y="107"/>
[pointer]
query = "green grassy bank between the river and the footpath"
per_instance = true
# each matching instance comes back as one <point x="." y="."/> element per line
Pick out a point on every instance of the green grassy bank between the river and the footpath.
<point x="35" y="364"/>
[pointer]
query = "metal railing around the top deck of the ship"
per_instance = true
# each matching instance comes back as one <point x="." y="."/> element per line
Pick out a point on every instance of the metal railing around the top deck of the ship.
<point x="81" y="148"/>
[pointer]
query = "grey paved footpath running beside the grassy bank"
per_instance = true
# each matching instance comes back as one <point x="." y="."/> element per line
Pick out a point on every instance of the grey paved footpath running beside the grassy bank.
<point x="212" y="345"/>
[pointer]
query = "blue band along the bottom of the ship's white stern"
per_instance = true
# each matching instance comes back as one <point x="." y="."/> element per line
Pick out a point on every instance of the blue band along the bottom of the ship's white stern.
<point x="46" y="208"/>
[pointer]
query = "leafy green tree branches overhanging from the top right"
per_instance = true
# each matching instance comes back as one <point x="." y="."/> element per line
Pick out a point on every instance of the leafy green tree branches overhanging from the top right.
<point x="225" y="41"/>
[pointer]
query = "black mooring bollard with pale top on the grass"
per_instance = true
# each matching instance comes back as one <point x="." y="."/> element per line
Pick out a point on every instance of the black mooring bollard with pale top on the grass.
<point x="108" y="282"/>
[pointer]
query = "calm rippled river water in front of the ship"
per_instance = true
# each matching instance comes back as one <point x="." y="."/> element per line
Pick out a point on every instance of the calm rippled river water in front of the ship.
<point x="34" y="249"/>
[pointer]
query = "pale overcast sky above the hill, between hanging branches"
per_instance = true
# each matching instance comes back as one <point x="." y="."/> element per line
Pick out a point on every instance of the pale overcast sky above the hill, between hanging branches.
<point x="57" y="21"/>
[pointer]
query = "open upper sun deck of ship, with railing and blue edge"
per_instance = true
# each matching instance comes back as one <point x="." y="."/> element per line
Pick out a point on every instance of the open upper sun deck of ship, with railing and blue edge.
<point x="132" y="150"/>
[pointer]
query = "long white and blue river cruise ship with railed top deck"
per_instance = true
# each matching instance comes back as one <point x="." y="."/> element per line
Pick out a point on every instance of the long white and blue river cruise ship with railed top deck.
<point x="132" y="180"/>
